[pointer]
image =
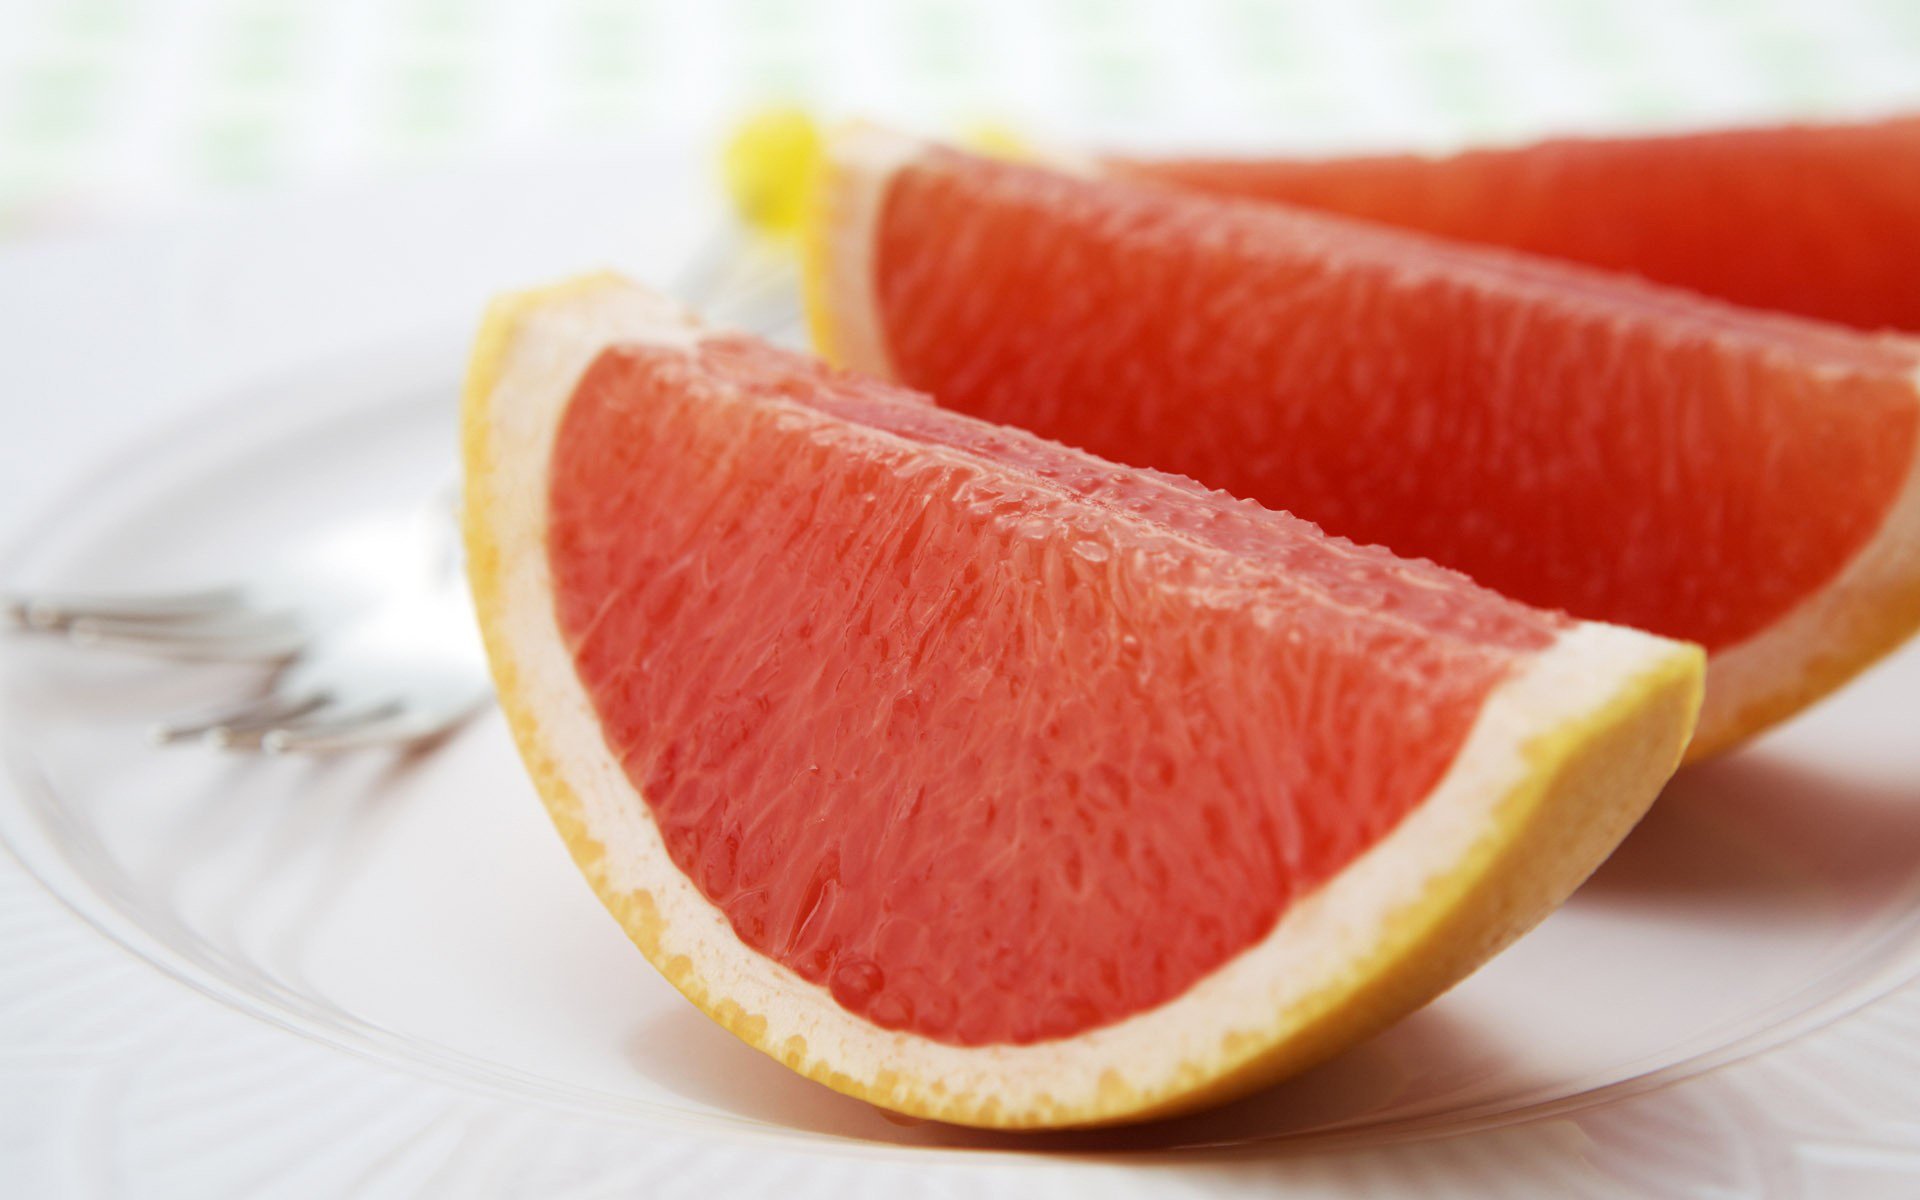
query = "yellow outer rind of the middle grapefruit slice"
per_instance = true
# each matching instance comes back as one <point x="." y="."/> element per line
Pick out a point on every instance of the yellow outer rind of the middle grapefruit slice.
<point x="1869" y="627"/>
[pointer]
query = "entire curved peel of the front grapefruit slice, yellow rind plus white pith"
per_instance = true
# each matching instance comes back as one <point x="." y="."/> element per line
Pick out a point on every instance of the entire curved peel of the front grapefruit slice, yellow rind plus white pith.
<point x="1560" y="765"/>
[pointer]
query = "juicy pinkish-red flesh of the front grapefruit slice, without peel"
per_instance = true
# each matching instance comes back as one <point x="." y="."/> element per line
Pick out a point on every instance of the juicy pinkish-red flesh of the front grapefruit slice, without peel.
<point x="992" y="740"/>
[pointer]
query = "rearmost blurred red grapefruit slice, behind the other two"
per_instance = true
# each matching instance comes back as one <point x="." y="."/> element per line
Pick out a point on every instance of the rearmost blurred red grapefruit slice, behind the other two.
<point x="1813" y="220"/>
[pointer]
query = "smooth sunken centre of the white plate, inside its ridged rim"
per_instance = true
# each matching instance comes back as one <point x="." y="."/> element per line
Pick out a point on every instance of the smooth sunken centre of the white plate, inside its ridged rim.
<point x="423" y="911"/>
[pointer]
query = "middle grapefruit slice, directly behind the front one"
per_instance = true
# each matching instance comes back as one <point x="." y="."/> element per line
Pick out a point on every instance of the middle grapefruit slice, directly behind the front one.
<point x="1568" y="437"/>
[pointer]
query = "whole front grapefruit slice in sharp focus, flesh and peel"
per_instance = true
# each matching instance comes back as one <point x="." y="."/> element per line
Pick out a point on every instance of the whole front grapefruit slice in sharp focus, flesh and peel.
<point x="992" y="782"/>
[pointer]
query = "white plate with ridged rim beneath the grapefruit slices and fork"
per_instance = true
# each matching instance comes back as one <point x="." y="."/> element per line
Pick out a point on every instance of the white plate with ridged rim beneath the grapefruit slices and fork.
<point x="425" y="917"/>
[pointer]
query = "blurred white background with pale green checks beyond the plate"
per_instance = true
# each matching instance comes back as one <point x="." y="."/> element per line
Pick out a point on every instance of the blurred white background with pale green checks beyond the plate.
<point x="128" y="107"/>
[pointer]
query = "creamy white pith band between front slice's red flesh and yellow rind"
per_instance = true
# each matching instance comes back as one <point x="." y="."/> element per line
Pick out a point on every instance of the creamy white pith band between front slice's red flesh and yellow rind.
<point x="1318" y="944"/>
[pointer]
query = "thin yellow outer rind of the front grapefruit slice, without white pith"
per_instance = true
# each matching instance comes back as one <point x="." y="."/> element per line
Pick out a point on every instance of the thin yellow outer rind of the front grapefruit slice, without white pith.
<point x="1587" y="786"/>
